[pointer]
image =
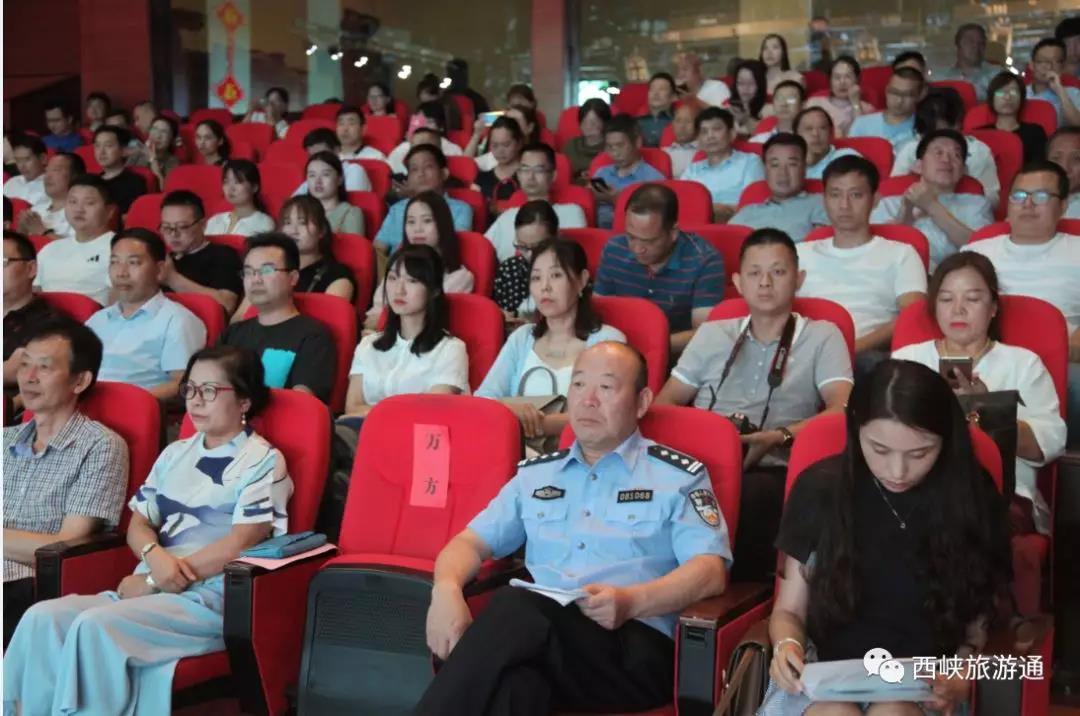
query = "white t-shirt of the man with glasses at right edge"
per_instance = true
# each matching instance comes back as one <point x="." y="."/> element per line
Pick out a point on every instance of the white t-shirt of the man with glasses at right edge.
<point x="1050" y="272"/>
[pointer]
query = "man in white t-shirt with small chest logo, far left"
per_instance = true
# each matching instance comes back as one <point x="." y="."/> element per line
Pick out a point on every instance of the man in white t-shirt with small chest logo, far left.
<point x="82" y="264"/>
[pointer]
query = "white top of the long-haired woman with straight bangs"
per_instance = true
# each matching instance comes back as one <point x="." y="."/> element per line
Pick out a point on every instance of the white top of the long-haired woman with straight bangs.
<point x="400" y="371"/>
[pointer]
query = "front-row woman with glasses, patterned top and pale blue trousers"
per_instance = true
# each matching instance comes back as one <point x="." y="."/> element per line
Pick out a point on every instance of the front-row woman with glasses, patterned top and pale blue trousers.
<point x="208" y="499"/>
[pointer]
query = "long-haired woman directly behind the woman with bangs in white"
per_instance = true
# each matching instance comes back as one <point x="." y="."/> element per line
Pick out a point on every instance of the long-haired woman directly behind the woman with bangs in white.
<point x="429" y="222"/>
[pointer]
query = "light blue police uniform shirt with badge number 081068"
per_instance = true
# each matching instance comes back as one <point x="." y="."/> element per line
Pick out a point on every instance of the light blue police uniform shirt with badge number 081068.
<point x="636" y="516"/>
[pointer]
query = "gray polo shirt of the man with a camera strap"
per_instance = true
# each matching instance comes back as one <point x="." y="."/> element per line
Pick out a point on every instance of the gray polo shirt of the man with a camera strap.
<point x="819" y="357"/>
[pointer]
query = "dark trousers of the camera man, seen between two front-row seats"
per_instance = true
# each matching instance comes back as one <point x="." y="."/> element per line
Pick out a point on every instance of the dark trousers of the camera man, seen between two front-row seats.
<point x="761" y="506"/>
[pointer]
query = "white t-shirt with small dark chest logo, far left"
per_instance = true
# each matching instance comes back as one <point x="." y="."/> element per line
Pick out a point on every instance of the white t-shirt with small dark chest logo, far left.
<point x="77" y="267"/>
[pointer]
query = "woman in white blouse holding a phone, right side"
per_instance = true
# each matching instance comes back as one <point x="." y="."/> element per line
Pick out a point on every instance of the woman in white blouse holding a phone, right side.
<point x="964" y="301"/>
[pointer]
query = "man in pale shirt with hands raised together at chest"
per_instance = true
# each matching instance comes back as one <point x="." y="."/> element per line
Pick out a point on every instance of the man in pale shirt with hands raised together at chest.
<point x="931" y="205"/>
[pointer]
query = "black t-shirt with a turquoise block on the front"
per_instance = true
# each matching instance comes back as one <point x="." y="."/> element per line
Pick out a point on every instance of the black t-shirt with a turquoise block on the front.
<point x="295" y="353"/>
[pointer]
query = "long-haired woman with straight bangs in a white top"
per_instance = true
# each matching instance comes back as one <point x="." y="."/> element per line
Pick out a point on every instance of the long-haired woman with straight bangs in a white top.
<point x="414" y="354"/>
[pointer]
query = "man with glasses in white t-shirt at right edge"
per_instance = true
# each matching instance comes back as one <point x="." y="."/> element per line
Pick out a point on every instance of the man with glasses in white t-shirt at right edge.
<point x="1035" y="260"/>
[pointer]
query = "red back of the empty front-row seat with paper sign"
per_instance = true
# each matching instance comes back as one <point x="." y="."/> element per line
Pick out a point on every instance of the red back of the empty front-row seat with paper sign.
<point x="379" y="516"/>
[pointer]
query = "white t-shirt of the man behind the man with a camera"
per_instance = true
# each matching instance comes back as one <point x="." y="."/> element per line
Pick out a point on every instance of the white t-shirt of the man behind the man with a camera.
<point x="866" y="280"/>
